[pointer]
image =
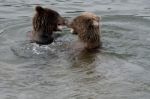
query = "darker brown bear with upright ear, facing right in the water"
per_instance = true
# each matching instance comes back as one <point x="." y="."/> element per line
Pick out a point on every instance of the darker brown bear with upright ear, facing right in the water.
<point x="45" y="22"/>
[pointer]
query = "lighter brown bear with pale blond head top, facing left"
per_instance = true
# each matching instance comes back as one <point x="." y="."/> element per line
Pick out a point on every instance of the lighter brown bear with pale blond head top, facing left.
<point x="87" y="27"/>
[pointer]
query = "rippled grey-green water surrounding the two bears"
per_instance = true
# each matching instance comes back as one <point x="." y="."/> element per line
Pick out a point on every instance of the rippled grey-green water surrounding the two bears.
<point x="120" y="70"/>
